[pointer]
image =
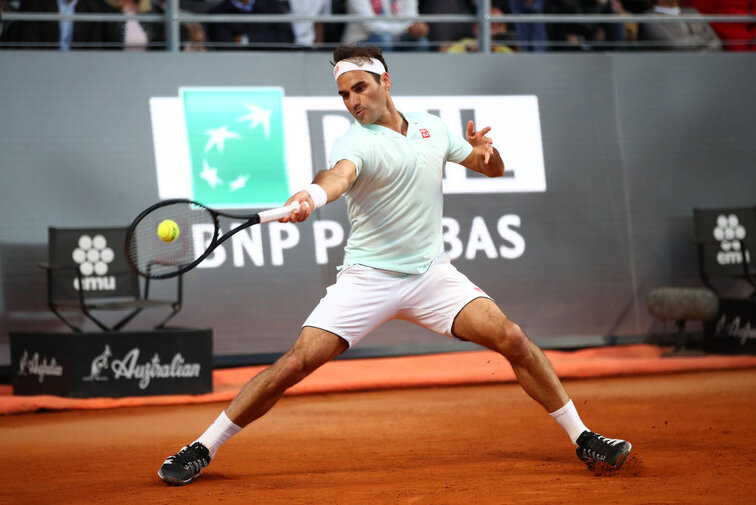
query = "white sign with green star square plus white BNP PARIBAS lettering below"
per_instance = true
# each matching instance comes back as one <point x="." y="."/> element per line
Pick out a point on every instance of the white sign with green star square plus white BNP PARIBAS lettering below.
<point x="253" y="147"/>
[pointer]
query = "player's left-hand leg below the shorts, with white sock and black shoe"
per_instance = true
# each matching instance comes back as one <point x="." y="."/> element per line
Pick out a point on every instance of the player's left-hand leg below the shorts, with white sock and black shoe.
<point x="313" y="348"/>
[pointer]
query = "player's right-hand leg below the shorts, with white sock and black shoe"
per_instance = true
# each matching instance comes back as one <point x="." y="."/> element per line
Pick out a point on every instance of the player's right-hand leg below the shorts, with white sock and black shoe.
<point x="482" y="322"/>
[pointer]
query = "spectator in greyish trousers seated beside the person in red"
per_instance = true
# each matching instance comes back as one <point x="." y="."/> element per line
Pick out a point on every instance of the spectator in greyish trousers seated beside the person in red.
<point x="681" y="35"/>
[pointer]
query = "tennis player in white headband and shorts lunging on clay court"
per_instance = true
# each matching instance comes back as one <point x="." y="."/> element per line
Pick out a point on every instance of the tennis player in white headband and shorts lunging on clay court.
<point x="389" y="167"/>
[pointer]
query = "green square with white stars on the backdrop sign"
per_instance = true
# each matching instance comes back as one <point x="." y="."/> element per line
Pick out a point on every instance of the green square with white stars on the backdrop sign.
<point x="237" y="149"/>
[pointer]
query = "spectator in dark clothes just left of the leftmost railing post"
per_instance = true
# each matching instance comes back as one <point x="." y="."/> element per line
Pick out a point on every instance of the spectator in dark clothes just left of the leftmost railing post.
<point x="132" y="35"/>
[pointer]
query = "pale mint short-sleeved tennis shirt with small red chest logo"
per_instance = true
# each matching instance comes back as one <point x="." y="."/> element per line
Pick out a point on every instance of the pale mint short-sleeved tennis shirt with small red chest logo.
<point x="395" y="205"/>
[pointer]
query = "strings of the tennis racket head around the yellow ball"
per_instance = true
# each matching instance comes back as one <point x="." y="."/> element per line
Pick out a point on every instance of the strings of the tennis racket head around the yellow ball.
<point x="155" y="257"/>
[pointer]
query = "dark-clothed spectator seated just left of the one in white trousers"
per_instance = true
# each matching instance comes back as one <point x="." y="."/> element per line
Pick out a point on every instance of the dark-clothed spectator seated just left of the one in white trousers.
<point x="250" y="35"/>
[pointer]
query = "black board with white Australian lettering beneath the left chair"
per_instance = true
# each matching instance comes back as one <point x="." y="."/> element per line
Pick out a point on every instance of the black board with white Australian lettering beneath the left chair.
<point x="112" y="364"/>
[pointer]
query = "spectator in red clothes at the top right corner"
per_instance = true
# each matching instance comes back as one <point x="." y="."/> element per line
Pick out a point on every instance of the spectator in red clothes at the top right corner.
<point x="734" y="36"/>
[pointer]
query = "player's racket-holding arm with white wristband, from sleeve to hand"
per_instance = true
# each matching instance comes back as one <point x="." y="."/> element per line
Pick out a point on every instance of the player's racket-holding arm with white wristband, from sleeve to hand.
<point x="327" y="186"/>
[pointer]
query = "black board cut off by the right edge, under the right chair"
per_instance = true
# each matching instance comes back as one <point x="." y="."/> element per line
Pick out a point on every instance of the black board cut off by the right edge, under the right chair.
<point x="733" y="331"/>
